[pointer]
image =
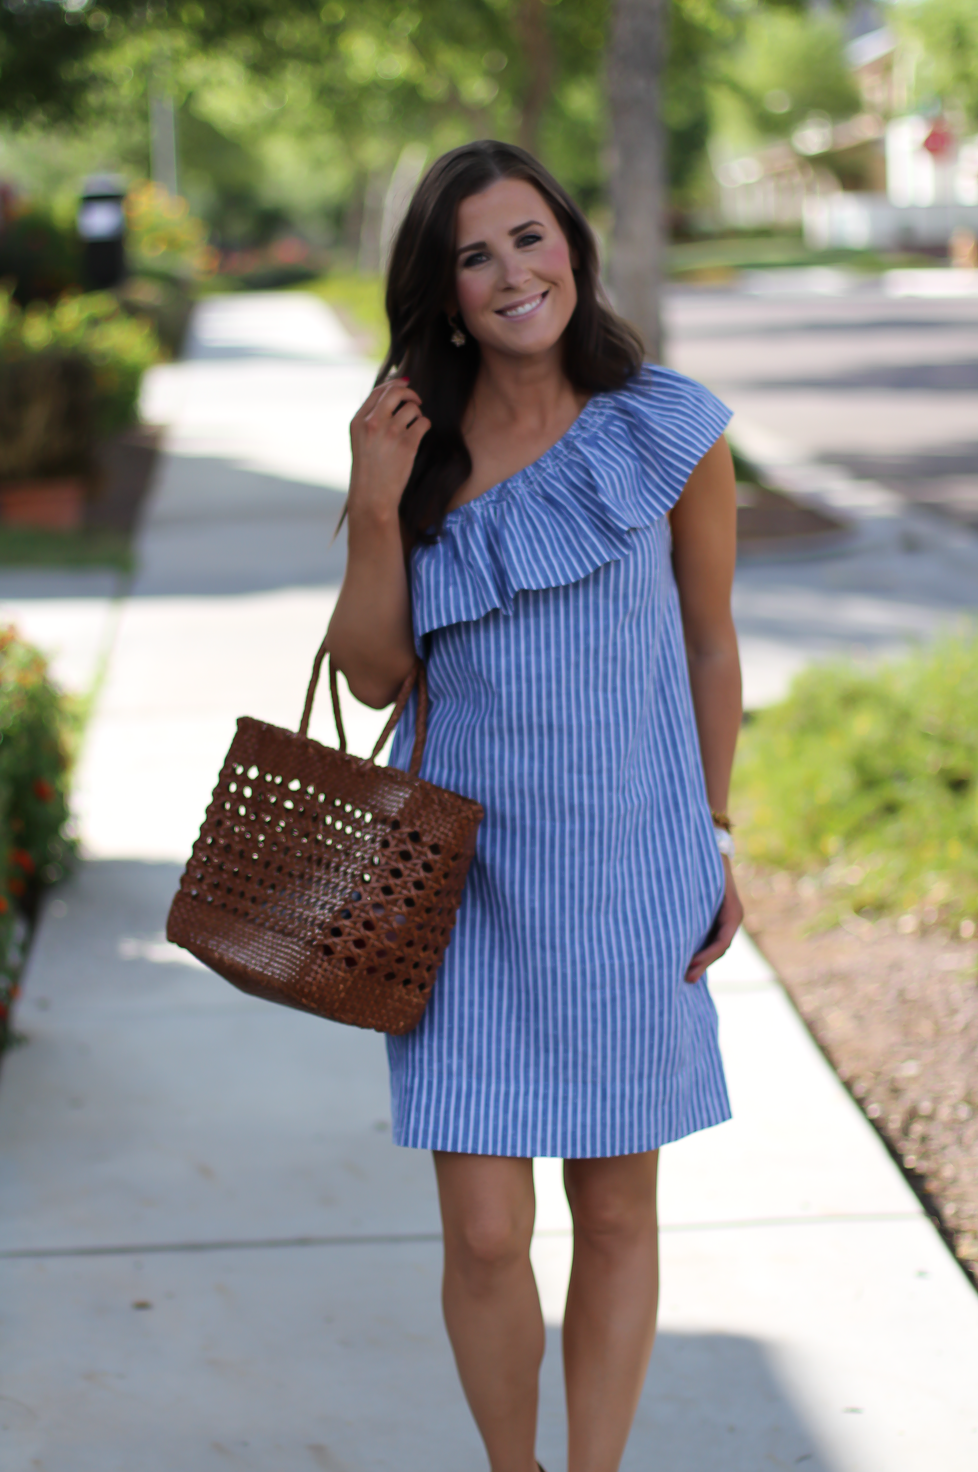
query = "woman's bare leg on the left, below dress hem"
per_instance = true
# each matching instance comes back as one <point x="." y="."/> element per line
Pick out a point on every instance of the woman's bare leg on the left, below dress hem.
<point x="493" y="1309"/>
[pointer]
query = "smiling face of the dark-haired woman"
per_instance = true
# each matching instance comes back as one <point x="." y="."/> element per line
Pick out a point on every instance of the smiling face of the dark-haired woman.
<point x="515" y="280"/>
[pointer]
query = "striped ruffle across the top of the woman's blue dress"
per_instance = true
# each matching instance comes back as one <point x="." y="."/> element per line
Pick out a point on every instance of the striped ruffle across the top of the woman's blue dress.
<point x="621" y="466"/>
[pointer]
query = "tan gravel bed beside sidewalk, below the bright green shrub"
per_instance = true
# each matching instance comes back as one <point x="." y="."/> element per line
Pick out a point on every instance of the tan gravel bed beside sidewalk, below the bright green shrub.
<point x="898" y="1016"/>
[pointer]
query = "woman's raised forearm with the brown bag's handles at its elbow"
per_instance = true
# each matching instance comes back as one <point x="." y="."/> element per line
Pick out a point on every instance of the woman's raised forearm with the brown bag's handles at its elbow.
<point x="370" y="632"/>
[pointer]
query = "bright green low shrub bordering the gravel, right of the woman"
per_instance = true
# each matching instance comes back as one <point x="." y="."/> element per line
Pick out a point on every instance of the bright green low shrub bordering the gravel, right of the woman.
<point x="870" y="778"/>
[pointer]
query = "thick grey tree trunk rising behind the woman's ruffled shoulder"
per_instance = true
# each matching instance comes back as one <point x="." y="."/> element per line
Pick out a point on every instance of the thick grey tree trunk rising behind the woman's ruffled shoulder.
<point x="638" y="174"/>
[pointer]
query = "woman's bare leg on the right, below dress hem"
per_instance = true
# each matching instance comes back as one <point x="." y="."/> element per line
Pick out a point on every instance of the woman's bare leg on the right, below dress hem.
<point x="612" y="1302"/>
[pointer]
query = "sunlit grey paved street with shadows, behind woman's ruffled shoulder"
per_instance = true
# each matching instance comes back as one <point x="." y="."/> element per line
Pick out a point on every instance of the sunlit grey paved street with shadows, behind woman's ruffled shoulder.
<point x="884" y="386"/>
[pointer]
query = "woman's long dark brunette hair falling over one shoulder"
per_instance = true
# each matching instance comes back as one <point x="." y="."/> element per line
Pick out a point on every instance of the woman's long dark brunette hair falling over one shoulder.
<point x="600" y="350"/>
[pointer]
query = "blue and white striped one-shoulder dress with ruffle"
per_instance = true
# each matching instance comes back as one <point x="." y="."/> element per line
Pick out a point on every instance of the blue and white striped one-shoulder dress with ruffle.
<point x="547" y="612"/>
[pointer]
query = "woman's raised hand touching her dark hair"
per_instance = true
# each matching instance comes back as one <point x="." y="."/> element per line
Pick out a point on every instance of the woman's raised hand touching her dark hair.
<point x="385" y="436"/>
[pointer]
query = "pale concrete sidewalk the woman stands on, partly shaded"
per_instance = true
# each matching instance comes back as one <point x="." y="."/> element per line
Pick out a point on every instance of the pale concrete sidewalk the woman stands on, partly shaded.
<point x="211" y="1255"/>
